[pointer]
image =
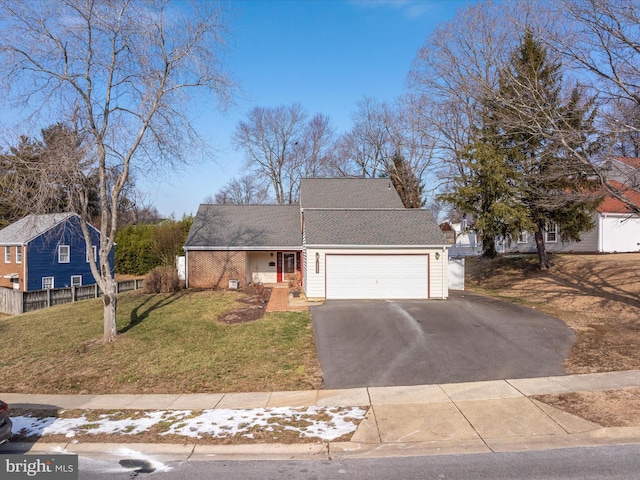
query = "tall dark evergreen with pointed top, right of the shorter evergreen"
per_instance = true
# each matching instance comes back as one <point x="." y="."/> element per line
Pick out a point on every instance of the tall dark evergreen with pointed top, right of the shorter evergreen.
<point x="544" y="136"/>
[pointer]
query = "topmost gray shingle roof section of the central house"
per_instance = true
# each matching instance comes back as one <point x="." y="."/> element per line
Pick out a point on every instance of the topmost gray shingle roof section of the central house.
<point x="348" y="193"/>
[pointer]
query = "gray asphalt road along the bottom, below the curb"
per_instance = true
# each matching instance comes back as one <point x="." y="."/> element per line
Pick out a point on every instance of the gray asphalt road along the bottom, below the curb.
<point x="620" y="462"/>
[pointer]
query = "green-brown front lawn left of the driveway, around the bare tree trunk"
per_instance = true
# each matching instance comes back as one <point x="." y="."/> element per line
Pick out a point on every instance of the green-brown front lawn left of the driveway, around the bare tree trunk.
<point x="168" y="344"/>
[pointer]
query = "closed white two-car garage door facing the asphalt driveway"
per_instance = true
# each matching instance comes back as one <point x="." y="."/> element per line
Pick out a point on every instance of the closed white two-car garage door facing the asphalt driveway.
<point x="377" y="276"/>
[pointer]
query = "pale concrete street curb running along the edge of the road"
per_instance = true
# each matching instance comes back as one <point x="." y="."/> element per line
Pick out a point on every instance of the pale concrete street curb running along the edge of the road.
<point x="330" y="450"/>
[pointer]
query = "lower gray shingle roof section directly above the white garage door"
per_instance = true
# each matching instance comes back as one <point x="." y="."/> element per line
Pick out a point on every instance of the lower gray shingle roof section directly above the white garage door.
<point x="410" y="227"/>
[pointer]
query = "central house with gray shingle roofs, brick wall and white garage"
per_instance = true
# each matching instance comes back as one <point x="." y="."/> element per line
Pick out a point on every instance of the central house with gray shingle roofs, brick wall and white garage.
<point x="346" y="238"/>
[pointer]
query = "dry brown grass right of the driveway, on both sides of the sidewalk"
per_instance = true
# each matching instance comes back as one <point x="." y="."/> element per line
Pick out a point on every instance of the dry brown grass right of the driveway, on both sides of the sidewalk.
<point x="598" y="296"/>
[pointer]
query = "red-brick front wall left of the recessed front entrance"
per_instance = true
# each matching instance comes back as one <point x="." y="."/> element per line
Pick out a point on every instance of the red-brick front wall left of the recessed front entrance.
<point x="215" y="269"/>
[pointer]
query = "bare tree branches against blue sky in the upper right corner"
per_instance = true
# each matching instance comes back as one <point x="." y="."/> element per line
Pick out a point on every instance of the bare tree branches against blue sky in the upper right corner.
<point x="600" y="39"/>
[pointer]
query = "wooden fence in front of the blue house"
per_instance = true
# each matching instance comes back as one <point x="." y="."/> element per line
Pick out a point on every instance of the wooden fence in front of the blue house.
<point x="13" y="302"/>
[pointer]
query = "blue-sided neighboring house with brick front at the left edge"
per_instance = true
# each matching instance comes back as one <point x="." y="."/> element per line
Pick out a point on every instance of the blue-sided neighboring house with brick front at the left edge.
<point x="47" y="251"/>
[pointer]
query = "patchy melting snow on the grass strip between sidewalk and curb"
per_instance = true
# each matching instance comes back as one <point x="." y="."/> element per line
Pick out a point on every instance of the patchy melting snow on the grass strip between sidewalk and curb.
<point x="323" y="423"/>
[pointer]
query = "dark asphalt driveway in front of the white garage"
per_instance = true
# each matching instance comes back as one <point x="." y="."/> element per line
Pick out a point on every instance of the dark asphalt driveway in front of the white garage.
<point x="467" y="338"/>
